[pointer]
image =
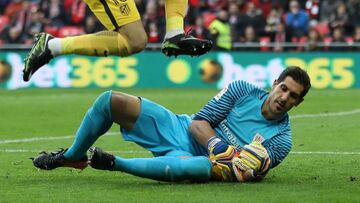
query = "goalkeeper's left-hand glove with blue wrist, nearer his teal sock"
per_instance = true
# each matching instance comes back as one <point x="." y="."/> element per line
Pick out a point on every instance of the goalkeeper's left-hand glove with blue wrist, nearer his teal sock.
<point x="221" y="155"/>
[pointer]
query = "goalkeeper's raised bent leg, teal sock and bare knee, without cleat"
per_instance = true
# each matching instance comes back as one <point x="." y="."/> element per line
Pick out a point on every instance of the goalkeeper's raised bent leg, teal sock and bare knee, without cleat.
<point x="109" y="107"/>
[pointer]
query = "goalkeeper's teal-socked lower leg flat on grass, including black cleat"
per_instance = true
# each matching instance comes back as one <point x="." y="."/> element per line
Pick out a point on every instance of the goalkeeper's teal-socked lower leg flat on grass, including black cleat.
<point x="174" y="167"/>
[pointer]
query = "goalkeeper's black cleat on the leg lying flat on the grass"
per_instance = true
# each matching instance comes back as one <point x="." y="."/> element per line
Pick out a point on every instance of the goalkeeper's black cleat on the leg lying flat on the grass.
<point x="101" y="160"/>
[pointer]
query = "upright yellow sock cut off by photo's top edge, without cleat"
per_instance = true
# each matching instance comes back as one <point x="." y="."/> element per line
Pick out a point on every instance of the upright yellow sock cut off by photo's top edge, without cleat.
<point x="175" y="13"/>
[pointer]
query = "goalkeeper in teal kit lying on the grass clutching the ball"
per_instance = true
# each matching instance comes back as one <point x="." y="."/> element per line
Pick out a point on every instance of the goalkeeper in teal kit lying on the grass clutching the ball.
<point x="237" y="136"/>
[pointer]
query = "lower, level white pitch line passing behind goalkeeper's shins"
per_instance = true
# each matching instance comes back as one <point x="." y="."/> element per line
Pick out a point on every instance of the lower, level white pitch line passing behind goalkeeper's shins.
<point x="147" y="152"/>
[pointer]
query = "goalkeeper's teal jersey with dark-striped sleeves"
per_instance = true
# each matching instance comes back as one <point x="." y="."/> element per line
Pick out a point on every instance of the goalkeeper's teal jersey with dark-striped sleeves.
<point x="235" y="114"/>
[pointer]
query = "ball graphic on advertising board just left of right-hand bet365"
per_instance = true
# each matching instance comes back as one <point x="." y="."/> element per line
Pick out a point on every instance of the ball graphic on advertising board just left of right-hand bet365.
<point x="210" y="71"/>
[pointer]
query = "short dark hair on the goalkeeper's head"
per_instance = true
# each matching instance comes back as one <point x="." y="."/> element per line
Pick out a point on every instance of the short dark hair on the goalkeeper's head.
<point x="299" y="75"/>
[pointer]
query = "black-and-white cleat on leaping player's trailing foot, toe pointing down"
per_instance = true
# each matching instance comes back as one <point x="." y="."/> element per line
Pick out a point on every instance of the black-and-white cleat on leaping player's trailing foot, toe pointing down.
<point x="38" y="56"/>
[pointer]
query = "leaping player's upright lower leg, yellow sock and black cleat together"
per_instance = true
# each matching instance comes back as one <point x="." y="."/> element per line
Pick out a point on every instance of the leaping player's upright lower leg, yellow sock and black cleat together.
<point x="176" y="42"/>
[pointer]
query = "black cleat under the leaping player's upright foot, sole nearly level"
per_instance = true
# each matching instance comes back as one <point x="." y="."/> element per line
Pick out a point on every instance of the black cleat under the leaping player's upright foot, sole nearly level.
<point x="184" y="44"/>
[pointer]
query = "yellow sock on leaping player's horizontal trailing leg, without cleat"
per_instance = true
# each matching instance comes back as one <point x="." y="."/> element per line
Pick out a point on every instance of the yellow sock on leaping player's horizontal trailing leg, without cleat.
<point x="102" y="43"/>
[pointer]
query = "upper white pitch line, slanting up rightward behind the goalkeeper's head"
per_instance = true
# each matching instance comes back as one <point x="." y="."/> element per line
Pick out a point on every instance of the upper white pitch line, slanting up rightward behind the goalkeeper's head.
<point x="34" y="139"/>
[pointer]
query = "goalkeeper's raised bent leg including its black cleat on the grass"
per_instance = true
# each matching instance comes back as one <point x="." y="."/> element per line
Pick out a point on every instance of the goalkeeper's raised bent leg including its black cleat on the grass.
<point x="108" y="108"/>
